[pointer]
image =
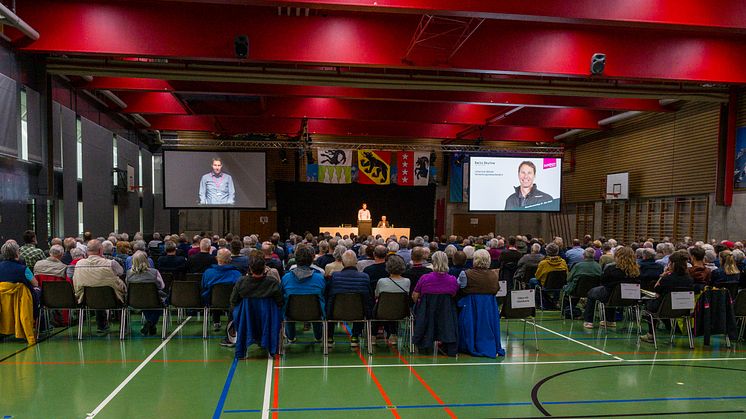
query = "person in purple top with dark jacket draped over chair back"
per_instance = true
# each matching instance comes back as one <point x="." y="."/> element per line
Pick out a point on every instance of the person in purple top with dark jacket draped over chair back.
<point x="438" y="282"/>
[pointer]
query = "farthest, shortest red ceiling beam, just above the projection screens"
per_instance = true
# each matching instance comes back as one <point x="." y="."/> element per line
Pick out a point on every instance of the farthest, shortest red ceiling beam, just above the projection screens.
<point x="343" y="128"/>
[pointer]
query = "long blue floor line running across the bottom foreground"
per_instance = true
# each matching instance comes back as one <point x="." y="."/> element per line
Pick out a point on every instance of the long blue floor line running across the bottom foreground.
<point x="455" y="405"/>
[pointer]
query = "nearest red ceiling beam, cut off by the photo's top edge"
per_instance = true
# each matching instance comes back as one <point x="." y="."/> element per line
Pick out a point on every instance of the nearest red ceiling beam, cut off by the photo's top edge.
<point x="718" y="14"/>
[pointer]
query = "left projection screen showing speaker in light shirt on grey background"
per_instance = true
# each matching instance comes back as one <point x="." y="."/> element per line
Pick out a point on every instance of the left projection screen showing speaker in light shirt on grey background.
<point x="214" y="179"/>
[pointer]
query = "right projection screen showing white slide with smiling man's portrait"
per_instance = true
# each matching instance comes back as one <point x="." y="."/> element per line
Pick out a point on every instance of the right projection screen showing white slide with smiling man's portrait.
<point x="514" y="184"/>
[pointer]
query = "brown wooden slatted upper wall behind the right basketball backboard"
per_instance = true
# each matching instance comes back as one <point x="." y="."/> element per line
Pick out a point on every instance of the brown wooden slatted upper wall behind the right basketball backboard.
<point x="666" y="155"/>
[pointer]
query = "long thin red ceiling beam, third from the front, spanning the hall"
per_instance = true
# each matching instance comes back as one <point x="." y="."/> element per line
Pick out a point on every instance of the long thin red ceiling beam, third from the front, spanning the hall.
<point x="444" y="96"/>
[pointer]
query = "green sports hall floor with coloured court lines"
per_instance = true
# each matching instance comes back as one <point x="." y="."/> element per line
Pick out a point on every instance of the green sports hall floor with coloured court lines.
<point x="577" y="373"/>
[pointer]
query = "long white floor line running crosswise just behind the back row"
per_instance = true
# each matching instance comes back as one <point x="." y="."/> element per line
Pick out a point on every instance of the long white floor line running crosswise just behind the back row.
<point x="497" y="364"/>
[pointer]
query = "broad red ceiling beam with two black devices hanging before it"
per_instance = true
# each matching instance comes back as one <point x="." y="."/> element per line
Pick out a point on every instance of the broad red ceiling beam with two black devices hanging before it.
<point x="168" y="30"/>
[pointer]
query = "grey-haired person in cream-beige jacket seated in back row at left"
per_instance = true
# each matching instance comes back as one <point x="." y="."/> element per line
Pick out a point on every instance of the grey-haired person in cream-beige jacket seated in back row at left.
<point x="95" y="271"/>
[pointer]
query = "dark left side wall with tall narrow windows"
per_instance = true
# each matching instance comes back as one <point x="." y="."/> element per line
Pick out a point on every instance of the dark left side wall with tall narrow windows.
<point x="26" y="183"/>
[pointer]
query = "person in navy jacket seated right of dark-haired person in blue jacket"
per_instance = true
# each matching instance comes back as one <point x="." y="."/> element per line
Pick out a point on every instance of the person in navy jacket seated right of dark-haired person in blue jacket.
<point x="350" y="281"/>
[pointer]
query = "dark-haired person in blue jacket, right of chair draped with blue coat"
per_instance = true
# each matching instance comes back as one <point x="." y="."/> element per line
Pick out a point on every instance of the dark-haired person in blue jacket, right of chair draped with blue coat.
<point x="303" y="280"/>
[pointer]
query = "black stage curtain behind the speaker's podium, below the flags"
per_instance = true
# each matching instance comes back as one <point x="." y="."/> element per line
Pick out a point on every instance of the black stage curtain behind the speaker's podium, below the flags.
<point x="303" y="206"/>
